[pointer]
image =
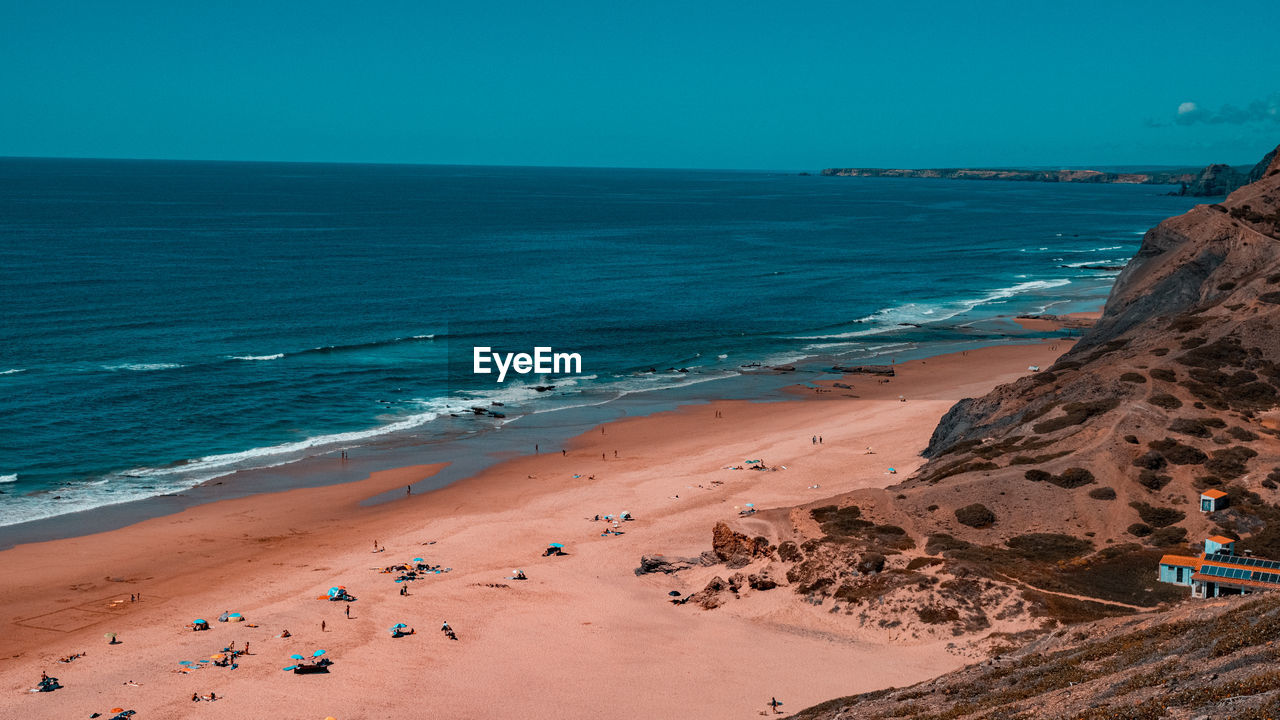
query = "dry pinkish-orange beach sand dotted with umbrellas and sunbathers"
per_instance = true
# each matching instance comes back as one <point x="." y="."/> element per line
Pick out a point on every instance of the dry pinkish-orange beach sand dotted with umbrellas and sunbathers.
<point x="583" y="637"/>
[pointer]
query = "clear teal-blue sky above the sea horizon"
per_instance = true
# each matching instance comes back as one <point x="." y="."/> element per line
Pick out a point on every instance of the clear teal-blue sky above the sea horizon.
<point x="653" y="84"/>
